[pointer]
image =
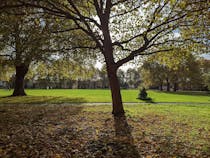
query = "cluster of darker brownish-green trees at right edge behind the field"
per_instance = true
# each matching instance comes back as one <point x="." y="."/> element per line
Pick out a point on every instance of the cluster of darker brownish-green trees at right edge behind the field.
<point x="187" y="73"/>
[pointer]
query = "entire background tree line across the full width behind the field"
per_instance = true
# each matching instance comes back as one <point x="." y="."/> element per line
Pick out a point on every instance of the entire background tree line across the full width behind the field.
<point x="156" y="72"/>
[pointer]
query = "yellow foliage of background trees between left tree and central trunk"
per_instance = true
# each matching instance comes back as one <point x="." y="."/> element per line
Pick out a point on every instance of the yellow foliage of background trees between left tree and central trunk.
<point x="59" y="71"/>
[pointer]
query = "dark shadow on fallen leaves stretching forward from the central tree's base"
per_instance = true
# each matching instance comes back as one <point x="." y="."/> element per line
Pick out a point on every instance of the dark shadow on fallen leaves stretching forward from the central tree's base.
<point x="117" y="143"/>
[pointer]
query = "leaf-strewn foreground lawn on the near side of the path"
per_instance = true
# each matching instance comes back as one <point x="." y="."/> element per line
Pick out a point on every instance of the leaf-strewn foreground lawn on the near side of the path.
<point x="91" y="131"/>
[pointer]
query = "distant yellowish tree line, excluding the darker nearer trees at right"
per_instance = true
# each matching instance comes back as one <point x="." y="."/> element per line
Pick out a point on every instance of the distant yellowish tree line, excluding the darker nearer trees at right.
<point x="70" y="75"/>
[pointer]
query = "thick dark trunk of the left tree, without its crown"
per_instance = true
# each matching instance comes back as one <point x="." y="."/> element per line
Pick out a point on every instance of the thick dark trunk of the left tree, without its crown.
<point x="21" y="71"/>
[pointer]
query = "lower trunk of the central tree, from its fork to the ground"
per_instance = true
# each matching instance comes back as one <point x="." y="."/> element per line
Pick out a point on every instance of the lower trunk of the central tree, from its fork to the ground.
<point x="115" y="91"/>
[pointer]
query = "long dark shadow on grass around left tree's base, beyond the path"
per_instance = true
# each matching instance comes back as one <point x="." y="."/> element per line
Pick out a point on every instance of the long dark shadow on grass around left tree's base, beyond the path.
<point x="40" y="100"/>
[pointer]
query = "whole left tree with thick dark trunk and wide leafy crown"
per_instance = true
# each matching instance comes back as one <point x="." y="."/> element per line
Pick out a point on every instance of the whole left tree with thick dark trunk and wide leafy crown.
<point x="27" y="39"/>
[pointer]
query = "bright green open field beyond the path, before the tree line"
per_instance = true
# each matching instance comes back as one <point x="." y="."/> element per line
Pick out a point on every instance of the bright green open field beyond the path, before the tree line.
<point x="99" y="95"/>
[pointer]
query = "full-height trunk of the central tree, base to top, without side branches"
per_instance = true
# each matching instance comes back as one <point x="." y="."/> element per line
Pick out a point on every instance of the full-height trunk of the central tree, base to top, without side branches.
<point x="107" y="50"/>
